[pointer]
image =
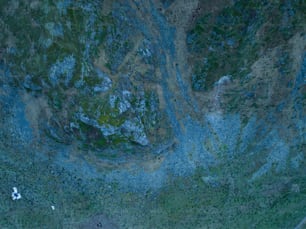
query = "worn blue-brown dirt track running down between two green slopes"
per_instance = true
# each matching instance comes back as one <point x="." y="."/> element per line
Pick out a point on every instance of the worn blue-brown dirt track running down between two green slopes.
<point x="172" y="67"/>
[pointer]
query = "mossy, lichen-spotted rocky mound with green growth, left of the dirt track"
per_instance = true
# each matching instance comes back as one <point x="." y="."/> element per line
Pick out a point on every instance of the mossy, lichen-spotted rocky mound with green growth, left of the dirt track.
<point x="52" y="48"/>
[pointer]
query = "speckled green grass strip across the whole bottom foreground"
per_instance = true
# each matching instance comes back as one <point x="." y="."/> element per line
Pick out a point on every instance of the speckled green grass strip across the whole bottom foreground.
<point x="276" y="200"/>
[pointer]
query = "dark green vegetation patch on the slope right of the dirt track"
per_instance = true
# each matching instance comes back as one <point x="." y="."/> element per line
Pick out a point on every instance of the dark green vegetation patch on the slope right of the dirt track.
<point x="228" y="42"/>
